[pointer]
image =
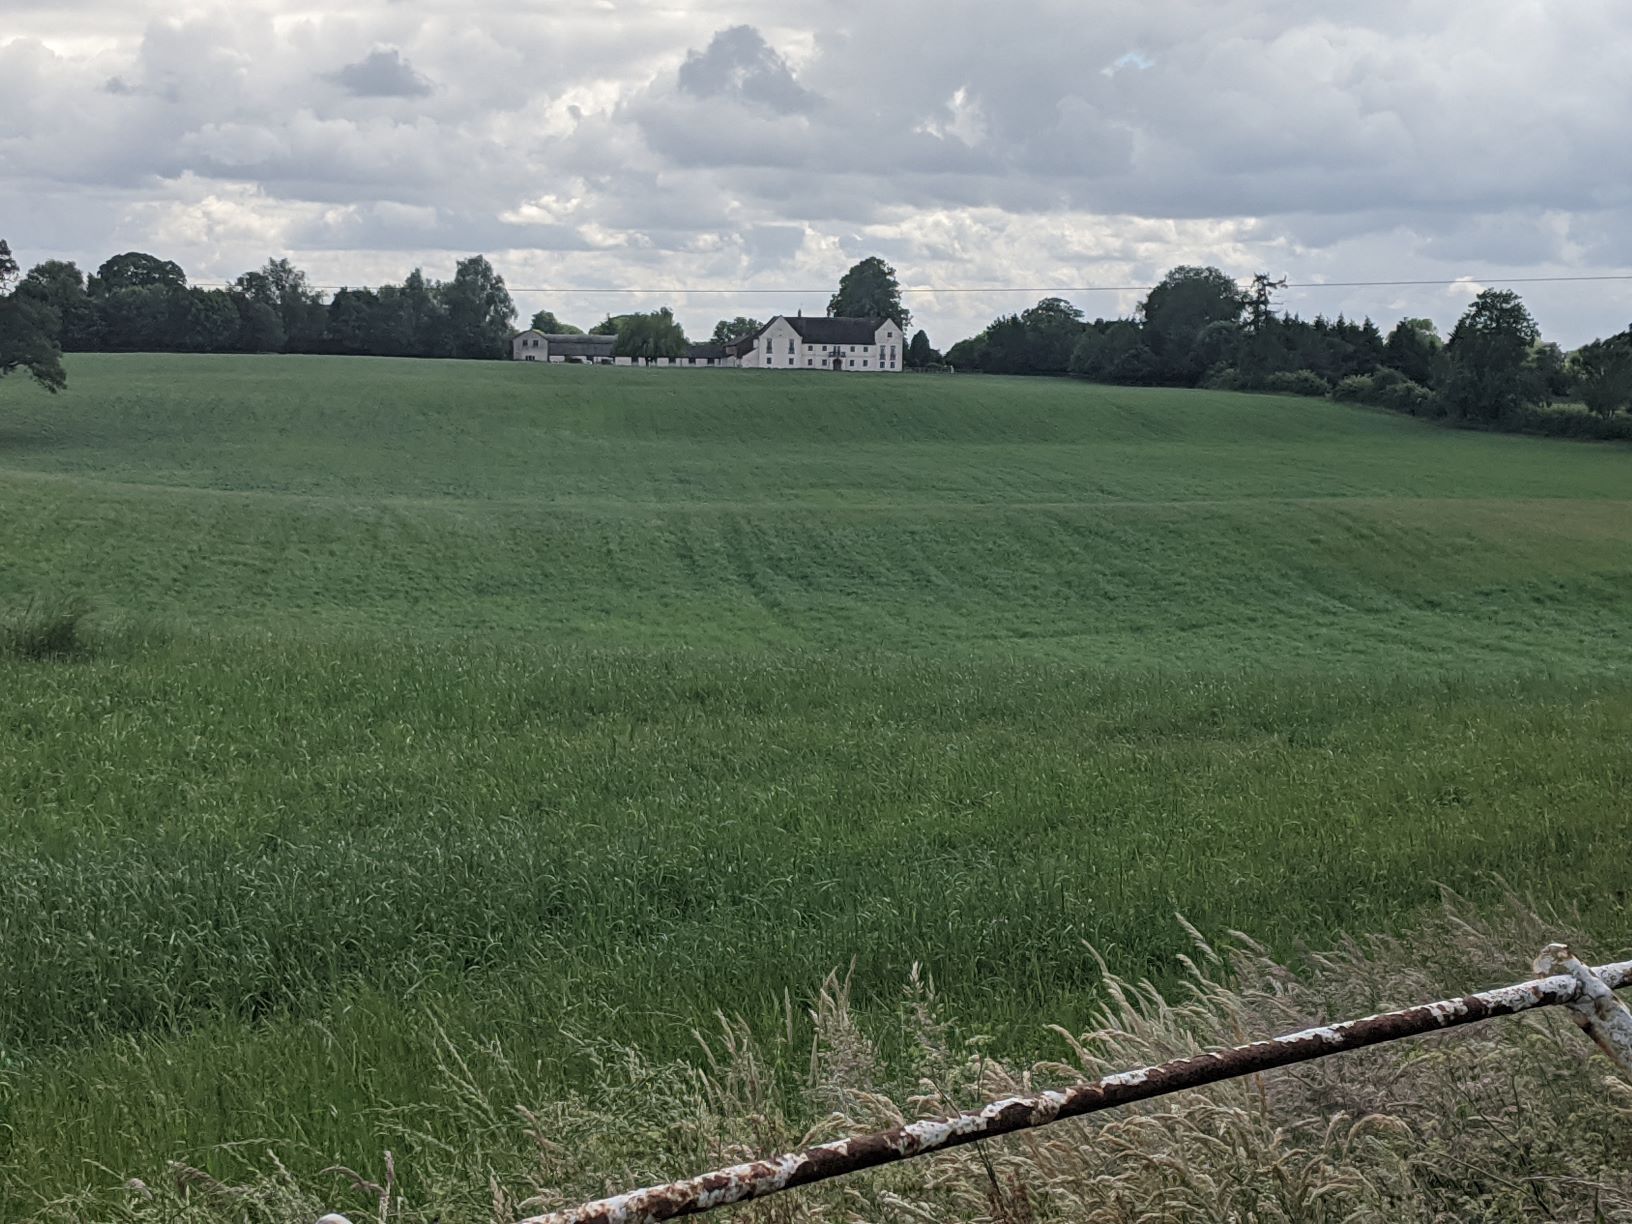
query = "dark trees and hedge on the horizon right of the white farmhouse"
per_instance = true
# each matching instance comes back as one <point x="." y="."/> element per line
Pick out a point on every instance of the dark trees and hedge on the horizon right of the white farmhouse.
<point x="1199" y="329"/>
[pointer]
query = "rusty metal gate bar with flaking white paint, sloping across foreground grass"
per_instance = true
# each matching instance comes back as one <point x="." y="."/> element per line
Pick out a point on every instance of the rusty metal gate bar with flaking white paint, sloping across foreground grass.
<point x="1589" y="993"/>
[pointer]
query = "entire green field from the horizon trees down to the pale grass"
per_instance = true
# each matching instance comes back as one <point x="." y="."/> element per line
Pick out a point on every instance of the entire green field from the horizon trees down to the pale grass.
<point x="546" y="707"/>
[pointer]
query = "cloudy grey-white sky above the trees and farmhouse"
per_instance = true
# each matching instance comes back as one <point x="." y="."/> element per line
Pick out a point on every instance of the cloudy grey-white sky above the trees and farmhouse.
<point x="721" y="144"/>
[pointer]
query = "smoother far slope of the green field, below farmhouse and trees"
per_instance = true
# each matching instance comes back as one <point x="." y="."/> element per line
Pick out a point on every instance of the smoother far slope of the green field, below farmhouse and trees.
<point x="735" y="510"/>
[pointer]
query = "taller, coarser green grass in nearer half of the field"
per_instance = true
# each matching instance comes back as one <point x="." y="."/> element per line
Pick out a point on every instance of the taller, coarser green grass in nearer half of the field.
<point x="244" y="879"/>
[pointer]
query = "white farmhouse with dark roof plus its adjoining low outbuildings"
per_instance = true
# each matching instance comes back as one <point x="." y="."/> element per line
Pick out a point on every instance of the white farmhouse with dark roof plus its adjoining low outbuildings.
<point x="786" y="344"/>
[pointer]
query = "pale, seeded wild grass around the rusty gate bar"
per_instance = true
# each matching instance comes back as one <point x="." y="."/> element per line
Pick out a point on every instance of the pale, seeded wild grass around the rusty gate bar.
<point x="1515" y="1120"/>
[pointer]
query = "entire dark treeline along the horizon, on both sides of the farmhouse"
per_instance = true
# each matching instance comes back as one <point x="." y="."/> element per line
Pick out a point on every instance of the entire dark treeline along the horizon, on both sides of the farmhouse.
<point x="1197" y="329"/>
